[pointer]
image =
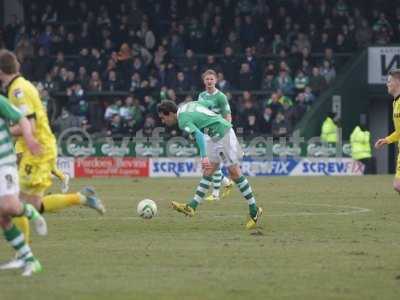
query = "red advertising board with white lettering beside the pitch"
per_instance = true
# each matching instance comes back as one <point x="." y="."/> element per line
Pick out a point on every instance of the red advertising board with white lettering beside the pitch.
<point x="111" y="167"/>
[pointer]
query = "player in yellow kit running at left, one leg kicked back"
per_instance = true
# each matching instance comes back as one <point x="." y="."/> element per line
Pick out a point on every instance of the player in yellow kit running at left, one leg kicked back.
<point x="35" y="171"/>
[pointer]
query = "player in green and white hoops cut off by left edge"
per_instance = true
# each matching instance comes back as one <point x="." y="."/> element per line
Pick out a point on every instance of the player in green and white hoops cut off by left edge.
<point x="10" y="206"/>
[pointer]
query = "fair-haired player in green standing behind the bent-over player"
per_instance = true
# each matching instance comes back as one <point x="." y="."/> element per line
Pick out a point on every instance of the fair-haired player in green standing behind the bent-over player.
<point x="216" y="101"/>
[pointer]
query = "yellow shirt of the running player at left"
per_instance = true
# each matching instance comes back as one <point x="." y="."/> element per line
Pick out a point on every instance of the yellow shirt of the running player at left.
<point x="24" y="95"/>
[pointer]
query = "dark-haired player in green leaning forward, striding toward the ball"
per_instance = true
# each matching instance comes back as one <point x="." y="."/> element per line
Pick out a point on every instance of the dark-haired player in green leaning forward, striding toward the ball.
<point x="223" y="147"/>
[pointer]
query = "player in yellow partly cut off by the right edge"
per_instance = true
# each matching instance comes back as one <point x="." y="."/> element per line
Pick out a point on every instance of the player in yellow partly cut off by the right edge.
<point x="393" y="87"/>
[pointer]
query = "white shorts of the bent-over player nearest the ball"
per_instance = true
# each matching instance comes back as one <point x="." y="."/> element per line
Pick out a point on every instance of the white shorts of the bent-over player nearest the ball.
<point x="226" y="150"/>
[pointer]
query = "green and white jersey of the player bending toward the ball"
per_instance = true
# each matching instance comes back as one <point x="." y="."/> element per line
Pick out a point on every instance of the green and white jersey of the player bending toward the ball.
<point x="194" y="115"/>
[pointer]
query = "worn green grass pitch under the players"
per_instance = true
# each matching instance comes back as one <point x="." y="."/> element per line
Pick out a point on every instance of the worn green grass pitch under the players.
<point x="321" y="238"/>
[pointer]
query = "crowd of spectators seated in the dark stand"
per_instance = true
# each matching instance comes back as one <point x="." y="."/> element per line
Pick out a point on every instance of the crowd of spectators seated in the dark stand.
<point x="273" y="58"/>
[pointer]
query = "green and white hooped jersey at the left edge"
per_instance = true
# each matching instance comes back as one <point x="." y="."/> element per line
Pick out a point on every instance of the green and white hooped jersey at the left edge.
<point x="7" y="113"/>
